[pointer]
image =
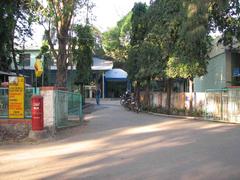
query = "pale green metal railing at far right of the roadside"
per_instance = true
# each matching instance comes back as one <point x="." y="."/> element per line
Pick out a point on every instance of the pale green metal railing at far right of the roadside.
<point x="223" y="105"/>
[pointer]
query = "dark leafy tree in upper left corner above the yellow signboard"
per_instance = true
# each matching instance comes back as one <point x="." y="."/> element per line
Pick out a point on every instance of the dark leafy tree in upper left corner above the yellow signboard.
<point x="15" y="19"/>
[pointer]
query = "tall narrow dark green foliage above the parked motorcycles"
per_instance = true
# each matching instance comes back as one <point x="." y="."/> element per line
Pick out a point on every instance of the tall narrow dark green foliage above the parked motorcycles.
<point x="140" y="53"/>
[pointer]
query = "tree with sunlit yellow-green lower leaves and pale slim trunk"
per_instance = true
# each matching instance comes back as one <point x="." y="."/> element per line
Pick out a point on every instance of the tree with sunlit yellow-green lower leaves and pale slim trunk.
<point x="192" y="46"/>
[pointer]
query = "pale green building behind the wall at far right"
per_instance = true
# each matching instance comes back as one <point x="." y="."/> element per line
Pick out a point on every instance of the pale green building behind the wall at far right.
<point x="223" y="69"/>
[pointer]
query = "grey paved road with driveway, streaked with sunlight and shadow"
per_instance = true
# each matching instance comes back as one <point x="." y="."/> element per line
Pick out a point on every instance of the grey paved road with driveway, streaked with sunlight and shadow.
<point x="118" y="144"/>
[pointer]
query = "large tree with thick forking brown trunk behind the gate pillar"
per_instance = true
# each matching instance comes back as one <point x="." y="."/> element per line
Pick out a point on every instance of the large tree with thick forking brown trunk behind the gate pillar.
<point x="58" y="15"/>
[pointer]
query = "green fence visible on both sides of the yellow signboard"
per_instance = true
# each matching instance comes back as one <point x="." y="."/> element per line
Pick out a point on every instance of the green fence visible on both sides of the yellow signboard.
<point x="27" y="101"/>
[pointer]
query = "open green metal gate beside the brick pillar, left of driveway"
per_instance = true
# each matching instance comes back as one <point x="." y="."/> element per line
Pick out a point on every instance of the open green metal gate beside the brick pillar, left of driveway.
<point x="68" y="109"/>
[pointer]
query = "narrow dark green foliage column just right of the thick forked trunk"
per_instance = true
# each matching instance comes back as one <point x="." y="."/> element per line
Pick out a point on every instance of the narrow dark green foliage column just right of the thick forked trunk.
<point x="82" y="53"/>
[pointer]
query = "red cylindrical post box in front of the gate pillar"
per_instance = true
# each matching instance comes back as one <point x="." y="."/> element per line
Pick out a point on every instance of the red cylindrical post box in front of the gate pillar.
<point x="37" y="113"/>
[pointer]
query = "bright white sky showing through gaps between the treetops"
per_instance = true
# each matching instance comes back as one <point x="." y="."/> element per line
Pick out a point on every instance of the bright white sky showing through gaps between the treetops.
<point x="106" y="14"/>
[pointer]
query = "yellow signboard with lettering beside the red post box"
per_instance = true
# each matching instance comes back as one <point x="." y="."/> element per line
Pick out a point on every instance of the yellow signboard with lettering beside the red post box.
<point x="16" y="97"/>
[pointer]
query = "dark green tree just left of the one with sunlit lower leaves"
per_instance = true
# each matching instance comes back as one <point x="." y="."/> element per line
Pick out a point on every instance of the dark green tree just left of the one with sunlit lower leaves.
<point x="164" y="23"/>
